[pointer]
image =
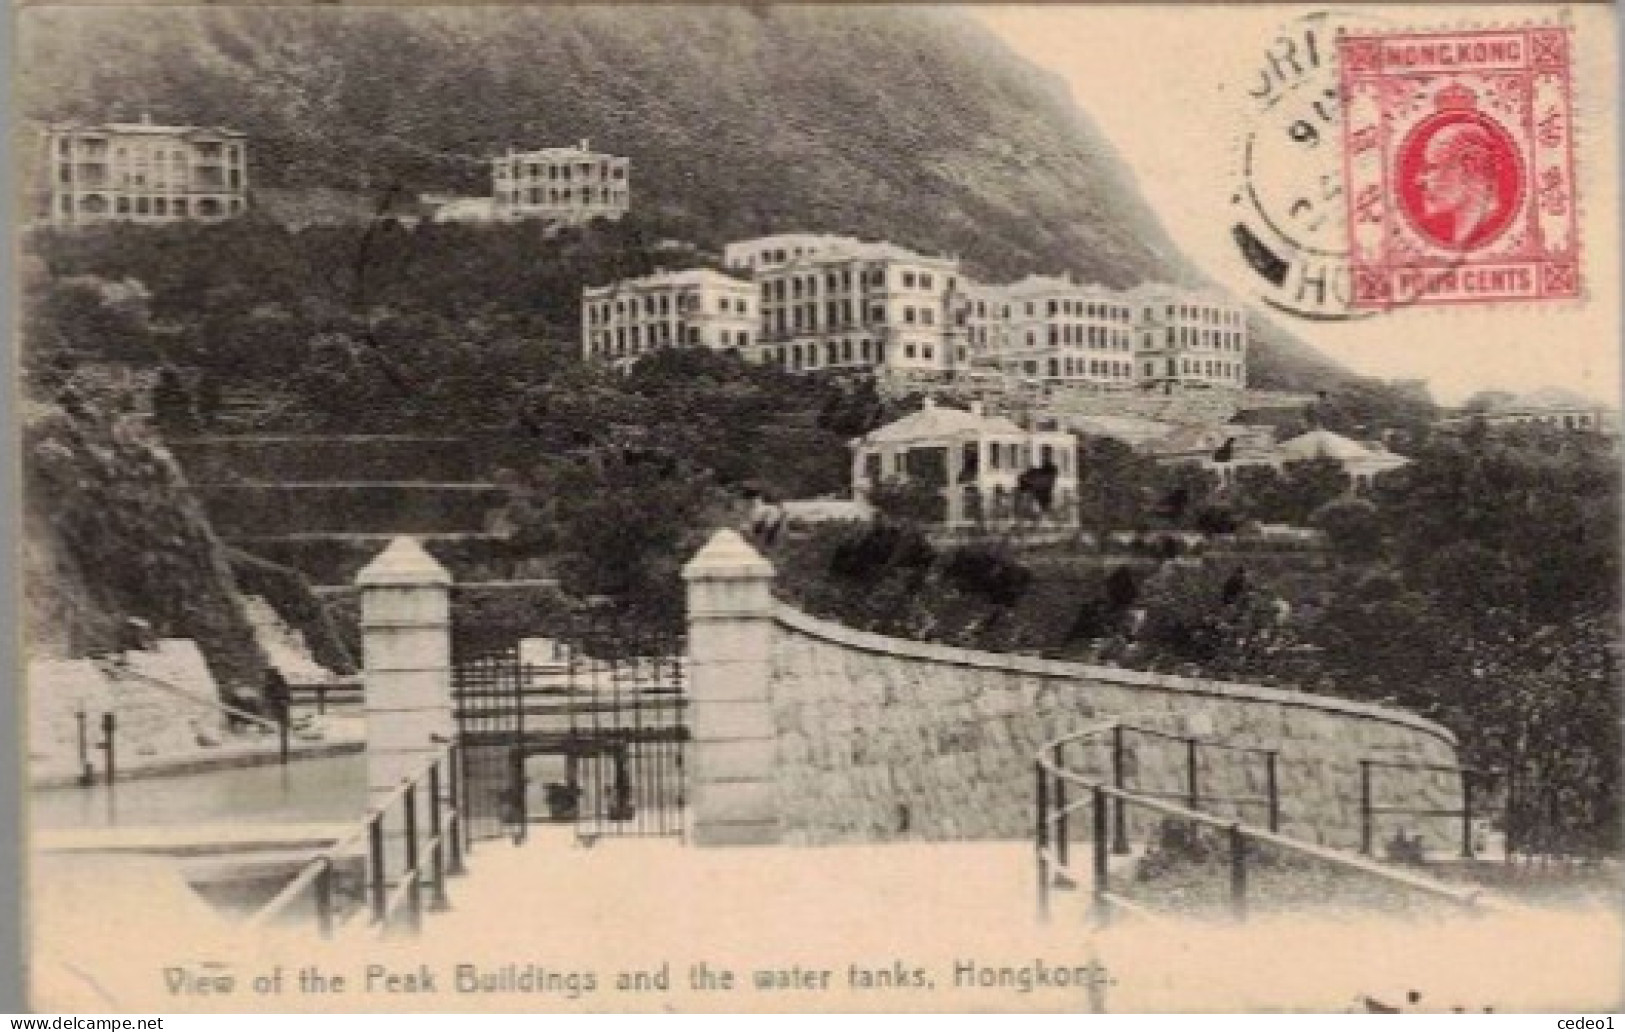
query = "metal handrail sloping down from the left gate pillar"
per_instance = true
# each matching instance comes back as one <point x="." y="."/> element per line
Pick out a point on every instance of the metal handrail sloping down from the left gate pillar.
<point x="444" y="835"/>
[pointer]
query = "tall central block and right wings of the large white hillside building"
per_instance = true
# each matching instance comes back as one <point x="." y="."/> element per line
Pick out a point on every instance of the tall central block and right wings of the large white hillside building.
<point x="834" y="303"/>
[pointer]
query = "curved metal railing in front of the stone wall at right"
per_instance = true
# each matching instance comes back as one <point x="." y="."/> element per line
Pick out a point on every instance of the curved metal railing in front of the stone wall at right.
<point x="1054" y="813"/>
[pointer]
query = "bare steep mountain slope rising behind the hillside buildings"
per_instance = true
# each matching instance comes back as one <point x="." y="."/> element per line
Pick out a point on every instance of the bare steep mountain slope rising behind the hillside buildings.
<point x="909" y="124"/>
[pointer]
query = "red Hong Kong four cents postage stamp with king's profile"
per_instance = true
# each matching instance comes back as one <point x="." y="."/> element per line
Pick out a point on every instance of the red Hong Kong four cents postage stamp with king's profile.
<point x="1460" y="167"/>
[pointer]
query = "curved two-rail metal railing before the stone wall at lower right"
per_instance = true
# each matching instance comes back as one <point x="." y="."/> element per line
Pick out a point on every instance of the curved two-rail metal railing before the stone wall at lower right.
<point x="1109" y="799"/>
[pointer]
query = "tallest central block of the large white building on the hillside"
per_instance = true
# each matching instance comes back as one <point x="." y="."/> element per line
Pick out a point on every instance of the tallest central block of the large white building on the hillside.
<point x="862" y="306"/>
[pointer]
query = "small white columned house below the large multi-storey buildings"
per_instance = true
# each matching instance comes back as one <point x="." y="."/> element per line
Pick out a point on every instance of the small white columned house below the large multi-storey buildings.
<point x="973" y="459"/>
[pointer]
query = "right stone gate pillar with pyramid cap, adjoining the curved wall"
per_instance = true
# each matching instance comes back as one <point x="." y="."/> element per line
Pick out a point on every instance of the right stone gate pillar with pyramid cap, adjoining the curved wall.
<point x="732" y="765"/>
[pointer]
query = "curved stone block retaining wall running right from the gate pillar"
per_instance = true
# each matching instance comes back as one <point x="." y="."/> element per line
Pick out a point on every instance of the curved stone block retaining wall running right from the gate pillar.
<point x="882" y="739"/>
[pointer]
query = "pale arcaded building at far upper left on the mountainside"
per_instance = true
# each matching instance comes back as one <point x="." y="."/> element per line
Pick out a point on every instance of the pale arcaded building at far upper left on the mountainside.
<point x="144" y="173"/>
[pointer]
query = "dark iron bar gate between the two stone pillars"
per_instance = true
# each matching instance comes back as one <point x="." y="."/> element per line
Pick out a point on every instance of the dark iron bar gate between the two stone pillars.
<point x="570" y="718"/>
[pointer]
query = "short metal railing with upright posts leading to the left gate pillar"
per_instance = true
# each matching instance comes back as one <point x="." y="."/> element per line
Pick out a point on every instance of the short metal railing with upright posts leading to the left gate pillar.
<point x="423" y="823"/>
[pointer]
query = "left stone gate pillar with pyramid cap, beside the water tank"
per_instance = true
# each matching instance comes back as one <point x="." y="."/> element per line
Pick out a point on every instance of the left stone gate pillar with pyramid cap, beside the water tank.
<point x="407" y="649"/>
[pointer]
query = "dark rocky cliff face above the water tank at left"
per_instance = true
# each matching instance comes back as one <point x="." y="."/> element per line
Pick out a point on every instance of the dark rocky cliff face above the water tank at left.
<point x="113" y="532"/>
